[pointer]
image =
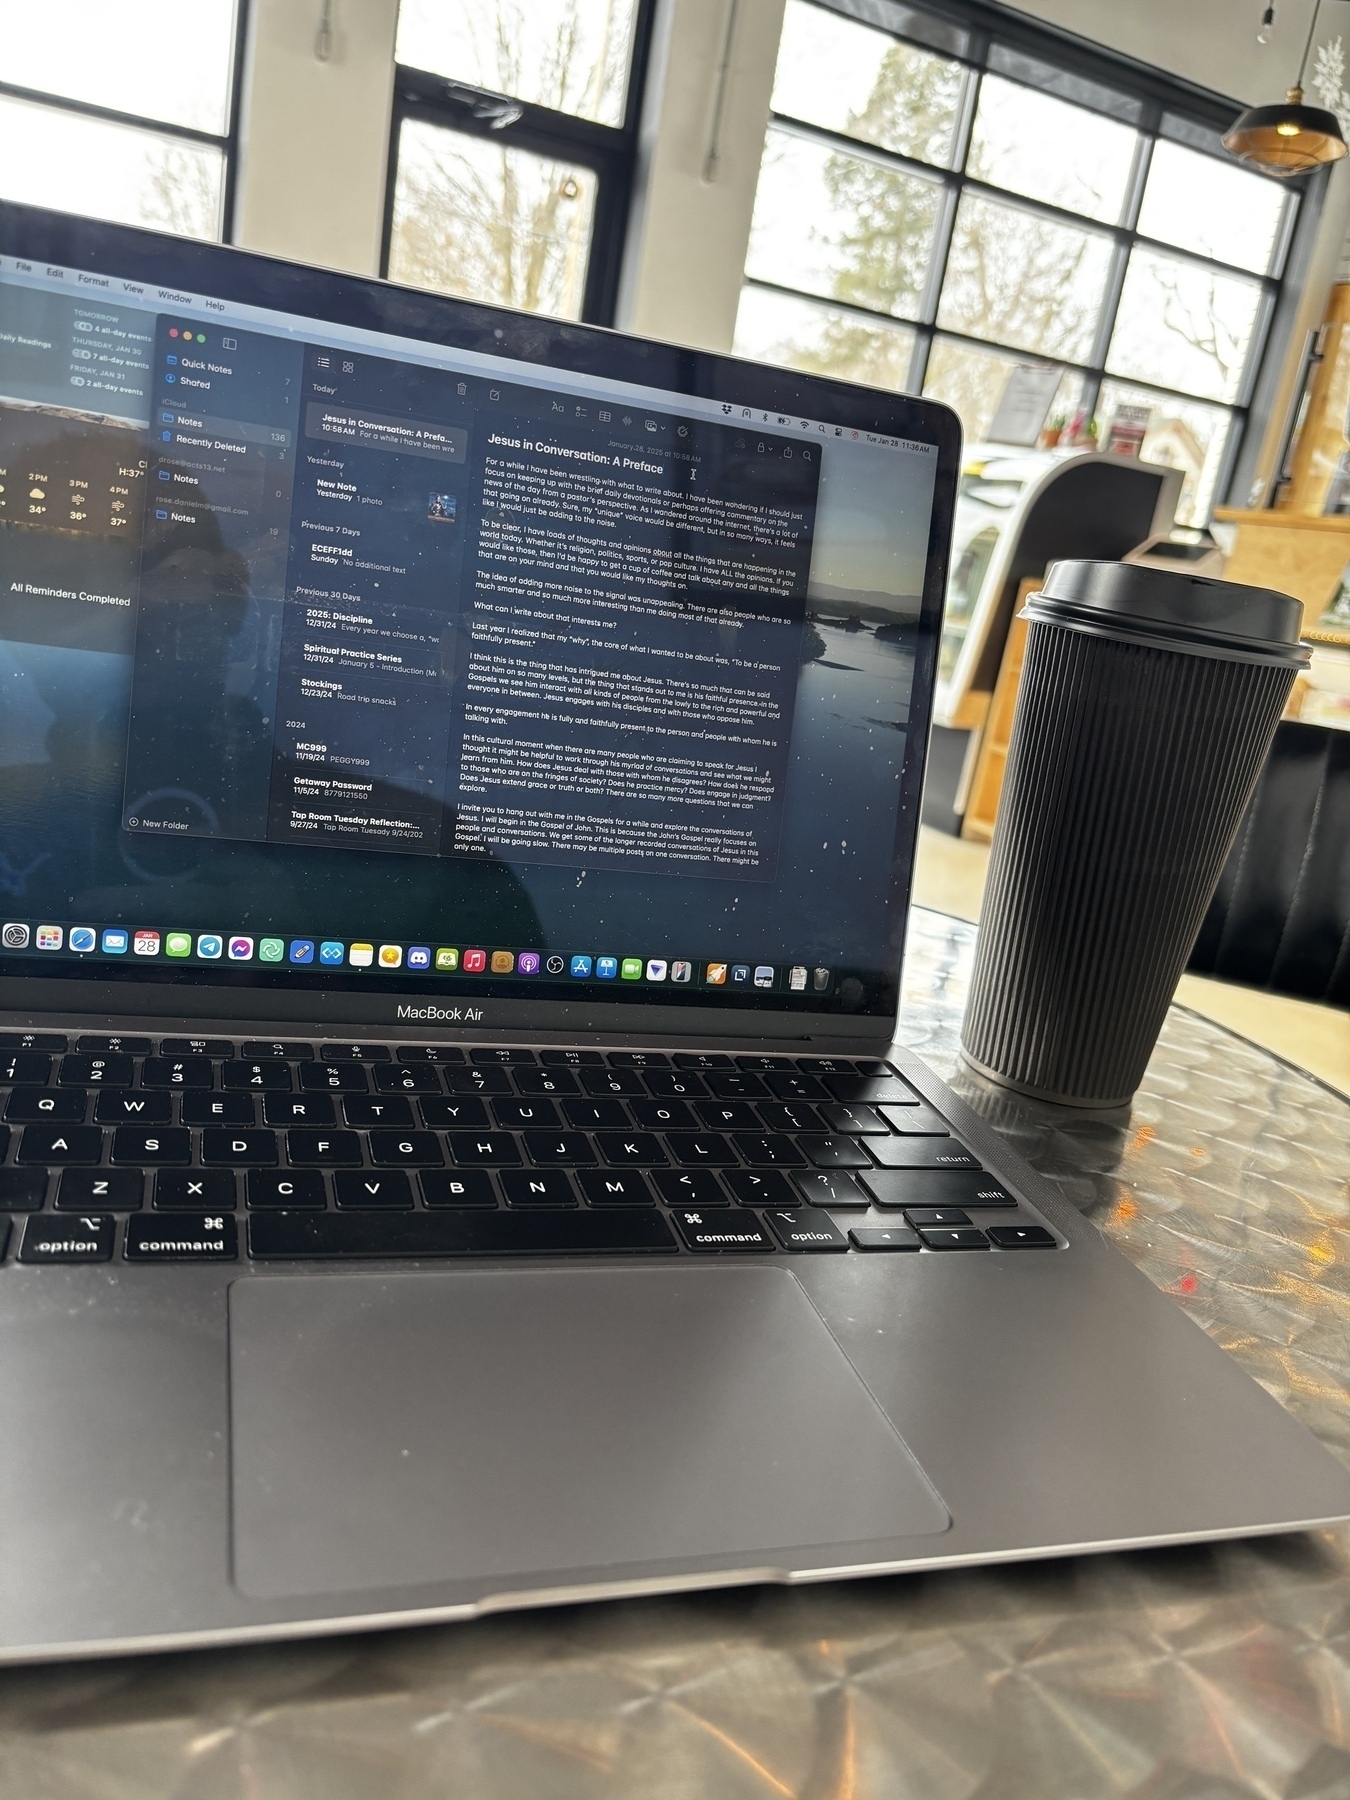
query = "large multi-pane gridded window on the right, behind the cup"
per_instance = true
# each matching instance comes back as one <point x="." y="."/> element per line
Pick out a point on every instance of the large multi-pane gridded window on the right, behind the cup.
<point x="940" y="204"/>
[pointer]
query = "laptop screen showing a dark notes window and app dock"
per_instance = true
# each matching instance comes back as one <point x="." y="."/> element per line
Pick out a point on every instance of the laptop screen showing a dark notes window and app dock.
<point x="354" y="640"/>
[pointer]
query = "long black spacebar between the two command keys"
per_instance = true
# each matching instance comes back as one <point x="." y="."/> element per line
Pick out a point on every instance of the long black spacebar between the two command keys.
<point x="294" y="1234"/>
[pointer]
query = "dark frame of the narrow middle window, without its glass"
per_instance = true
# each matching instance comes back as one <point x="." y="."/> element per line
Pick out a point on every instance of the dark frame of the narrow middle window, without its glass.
<point x="611" y="152"/>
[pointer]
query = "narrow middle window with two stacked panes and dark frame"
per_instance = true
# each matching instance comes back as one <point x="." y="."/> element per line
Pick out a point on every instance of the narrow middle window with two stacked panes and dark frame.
<point x="516" y="129"/>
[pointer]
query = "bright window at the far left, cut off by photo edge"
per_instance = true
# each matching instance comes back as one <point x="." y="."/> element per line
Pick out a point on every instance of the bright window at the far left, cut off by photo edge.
<point x="121" y="109"/>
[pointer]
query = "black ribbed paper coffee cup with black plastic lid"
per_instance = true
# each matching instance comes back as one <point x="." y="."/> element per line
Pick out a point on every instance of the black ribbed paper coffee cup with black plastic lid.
<point x="1146" y="712"/>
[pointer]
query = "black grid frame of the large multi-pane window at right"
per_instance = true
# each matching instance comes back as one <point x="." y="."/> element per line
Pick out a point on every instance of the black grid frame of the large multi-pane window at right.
<point x="976" y="28"/>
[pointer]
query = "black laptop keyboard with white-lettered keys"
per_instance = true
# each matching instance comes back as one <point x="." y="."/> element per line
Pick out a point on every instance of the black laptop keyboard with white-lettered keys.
<point x="213" y="1151"/>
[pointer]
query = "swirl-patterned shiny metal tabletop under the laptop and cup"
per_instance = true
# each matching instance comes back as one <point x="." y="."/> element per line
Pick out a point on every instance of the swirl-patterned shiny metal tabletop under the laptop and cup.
<point x="1183" y="1675"/>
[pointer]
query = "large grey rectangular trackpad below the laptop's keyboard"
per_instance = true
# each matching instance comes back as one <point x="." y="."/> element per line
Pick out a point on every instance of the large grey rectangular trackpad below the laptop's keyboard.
<point x="404" y="1430"/>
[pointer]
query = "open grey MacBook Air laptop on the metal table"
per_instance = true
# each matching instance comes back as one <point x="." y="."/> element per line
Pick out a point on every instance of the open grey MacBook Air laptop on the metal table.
<point x="460" y="800"/>
